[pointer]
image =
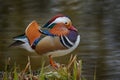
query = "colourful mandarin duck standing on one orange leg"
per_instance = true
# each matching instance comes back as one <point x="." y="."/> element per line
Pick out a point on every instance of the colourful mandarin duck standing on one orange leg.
<point x="57" y="37"/>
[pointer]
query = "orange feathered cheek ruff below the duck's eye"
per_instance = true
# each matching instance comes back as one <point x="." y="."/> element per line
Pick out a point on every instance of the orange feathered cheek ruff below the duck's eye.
<point x="59" y="30"/>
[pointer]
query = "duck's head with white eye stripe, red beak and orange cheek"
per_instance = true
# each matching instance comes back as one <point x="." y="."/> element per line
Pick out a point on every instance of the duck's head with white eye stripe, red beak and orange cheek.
<point x="60" y="25"/>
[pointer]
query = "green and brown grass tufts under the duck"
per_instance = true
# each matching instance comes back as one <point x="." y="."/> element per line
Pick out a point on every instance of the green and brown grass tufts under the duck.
<point x="70" y="71"/>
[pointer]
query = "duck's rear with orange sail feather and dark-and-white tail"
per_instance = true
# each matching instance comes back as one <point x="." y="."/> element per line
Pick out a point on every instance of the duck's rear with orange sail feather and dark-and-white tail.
<point x="27" y="39"/>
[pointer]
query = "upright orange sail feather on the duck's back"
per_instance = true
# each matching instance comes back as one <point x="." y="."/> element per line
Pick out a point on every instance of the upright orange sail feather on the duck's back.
<point x="32" y="32"/>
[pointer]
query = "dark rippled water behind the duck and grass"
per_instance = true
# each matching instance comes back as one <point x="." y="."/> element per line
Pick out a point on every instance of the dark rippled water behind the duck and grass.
<point x="98" y="22"/>
